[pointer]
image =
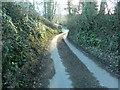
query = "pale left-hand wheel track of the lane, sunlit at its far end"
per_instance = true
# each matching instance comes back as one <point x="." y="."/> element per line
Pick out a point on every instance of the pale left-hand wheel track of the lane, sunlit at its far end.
<point x="60" y="80"/>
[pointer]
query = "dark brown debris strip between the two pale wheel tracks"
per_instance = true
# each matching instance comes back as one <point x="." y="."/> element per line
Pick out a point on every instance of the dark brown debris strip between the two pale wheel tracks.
<point x="79" y="74"/>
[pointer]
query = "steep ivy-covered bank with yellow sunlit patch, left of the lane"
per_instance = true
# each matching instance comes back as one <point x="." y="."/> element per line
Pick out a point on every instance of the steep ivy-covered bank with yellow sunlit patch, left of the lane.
<point x="25" y="46"/>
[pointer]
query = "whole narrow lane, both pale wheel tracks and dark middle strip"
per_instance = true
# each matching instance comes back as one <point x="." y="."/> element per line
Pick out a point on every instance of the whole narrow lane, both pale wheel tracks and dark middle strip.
<point x="75" y="70"/>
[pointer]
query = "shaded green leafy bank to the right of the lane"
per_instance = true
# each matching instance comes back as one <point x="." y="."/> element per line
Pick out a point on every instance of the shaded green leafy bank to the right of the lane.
<point x="97" y="33"/>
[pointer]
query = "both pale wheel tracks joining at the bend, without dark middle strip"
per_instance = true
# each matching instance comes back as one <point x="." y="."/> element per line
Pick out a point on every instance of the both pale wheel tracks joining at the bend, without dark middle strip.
<point x="61" y="78"/>
